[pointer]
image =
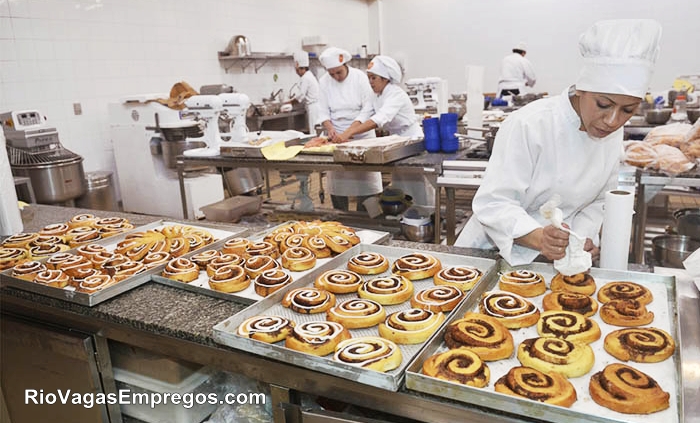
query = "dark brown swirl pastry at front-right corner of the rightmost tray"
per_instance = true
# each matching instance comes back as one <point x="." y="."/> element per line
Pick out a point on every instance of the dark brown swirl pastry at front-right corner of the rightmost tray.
<point x="627" y="390"/>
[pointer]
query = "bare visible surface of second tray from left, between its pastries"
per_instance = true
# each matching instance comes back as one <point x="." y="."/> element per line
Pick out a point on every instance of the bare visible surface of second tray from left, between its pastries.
<point x="248" y="295"/>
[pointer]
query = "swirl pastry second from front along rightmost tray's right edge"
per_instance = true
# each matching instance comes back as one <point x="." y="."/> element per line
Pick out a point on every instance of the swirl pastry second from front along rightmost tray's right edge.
<point x="643" y="345"/>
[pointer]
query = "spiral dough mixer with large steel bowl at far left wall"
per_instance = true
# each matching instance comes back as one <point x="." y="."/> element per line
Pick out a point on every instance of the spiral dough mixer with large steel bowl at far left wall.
<point x="34" y="151"/>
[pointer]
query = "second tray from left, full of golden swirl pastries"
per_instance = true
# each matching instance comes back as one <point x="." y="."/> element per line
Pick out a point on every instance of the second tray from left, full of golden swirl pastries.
<point x="247" y="269"/>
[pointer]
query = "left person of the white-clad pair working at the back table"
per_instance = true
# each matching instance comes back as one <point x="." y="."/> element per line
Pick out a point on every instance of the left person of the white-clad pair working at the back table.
<point x="346" y="101"/>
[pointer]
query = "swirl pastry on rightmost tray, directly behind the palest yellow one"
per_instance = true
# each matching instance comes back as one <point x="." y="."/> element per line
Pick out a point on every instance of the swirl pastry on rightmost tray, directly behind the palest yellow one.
<point x="568" y="325"/>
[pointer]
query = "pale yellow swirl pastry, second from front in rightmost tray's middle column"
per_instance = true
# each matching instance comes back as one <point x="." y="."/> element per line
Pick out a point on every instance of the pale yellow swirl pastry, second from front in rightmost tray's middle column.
<point x="556" y="355"/>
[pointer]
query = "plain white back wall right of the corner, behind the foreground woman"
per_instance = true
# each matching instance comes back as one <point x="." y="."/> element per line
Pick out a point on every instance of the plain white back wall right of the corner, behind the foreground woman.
<point x="441" y="37"/>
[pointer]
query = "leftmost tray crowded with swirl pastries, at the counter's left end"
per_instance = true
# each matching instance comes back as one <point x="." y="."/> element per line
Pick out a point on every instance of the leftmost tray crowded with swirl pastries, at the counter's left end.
<point x="92" y="272"/>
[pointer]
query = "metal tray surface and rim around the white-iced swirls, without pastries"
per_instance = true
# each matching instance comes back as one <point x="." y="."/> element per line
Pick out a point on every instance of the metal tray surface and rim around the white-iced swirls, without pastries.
<point x="225" y="331"/>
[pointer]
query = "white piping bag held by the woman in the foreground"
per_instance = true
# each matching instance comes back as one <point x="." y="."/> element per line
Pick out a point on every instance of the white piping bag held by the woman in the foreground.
<point x="576" y="260"/>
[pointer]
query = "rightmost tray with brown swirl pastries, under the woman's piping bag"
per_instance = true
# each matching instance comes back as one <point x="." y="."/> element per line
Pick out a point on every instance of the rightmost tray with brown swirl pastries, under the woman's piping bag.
<point x="601" y="346"/>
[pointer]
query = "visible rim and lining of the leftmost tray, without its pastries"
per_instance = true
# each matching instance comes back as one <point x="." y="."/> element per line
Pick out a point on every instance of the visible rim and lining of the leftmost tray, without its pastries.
<point x="69" y="293"/>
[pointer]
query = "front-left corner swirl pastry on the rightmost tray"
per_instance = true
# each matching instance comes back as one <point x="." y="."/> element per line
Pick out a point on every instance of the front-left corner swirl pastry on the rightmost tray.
<point x="459" y="365"/>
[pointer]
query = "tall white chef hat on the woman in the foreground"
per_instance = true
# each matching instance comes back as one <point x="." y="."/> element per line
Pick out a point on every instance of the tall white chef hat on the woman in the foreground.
<point x="619" y="56"/>
